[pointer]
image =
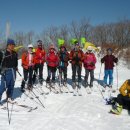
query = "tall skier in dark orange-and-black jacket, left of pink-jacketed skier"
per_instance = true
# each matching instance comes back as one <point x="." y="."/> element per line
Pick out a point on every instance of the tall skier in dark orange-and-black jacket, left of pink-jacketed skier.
<point x="76" y="57"/>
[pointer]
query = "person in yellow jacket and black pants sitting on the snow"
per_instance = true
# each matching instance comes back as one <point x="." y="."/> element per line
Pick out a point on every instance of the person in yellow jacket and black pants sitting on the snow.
<point x="123" y="99"/>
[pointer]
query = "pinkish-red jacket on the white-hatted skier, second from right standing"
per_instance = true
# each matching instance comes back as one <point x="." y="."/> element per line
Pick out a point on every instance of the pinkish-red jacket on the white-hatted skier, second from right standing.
<point x="89" y="61"/>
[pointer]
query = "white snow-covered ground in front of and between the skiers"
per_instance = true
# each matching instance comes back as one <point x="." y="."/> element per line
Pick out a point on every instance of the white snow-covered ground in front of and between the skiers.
<point x="65" y="111"/>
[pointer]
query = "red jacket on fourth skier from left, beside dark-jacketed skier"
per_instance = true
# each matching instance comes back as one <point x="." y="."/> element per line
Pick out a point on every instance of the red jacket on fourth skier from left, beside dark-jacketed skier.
<point x="52" y="59"/>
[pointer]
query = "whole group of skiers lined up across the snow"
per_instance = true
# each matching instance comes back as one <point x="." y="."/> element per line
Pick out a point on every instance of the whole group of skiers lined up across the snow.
<point x="33" y="63"/>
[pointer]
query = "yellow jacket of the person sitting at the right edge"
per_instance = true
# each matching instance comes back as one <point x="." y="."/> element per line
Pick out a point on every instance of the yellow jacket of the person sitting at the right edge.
<point x="125" y="89"/>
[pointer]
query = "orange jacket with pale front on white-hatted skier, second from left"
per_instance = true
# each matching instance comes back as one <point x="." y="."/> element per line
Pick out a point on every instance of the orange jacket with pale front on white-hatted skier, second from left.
<point x="27" y="60"/>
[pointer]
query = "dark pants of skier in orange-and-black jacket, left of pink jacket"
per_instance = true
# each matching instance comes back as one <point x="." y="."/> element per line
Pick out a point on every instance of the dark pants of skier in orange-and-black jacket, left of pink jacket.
<point x="76" y="68"/>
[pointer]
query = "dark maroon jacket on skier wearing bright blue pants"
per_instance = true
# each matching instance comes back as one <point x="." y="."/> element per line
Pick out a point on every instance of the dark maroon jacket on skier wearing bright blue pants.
<point x="109" y="61"/>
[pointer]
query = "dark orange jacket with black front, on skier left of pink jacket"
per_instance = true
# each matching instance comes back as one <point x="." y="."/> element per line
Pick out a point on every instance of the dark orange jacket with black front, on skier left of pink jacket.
<point x="76" y="54"/>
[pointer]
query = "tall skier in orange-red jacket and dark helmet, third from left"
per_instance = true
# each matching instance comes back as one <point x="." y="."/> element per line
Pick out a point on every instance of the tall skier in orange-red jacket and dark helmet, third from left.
<point x="39" y="61"/>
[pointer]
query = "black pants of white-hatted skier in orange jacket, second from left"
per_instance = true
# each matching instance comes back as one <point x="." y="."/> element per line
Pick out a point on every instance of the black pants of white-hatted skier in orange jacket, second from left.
<point x="28" y="74"/>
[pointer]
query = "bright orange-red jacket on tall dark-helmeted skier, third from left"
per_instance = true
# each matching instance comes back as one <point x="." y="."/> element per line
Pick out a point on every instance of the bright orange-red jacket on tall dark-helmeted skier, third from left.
<point x="40" y="56"/>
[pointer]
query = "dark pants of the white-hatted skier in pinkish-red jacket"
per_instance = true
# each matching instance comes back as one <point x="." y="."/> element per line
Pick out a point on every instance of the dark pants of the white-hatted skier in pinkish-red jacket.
<point x="87" y="72"/>
